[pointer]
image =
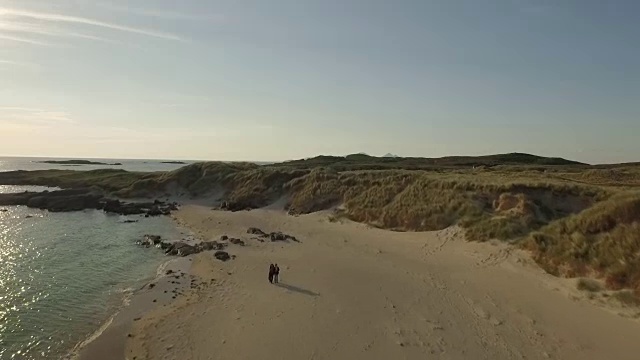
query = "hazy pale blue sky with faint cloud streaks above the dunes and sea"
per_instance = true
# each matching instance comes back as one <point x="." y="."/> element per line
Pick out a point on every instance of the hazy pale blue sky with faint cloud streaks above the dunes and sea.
<point x="285" y="79"/>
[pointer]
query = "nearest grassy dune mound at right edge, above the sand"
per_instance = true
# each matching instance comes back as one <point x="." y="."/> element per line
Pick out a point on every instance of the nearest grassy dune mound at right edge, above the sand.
<point x="604" y="239"/>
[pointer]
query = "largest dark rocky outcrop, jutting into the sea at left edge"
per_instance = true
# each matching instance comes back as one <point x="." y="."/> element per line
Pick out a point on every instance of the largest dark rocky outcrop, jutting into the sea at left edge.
<point x="81" y="199"/>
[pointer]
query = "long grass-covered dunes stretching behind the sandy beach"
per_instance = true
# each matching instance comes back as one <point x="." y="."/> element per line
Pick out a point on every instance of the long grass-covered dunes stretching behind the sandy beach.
<point x="577" y="219"/>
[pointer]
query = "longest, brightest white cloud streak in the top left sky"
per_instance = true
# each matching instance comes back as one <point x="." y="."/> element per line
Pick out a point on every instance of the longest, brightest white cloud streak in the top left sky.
<point x="52" y="17"/>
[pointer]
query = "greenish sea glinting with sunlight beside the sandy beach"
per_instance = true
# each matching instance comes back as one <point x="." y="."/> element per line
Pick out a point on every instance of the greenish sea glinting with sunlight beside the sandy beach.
<point x="62" y="275"/>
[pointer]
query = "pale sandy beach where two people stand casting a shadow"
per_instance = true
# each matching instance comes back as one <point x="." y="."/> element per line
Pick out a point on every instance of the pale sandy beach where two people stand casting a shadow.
<point x="351" y="292"/>
